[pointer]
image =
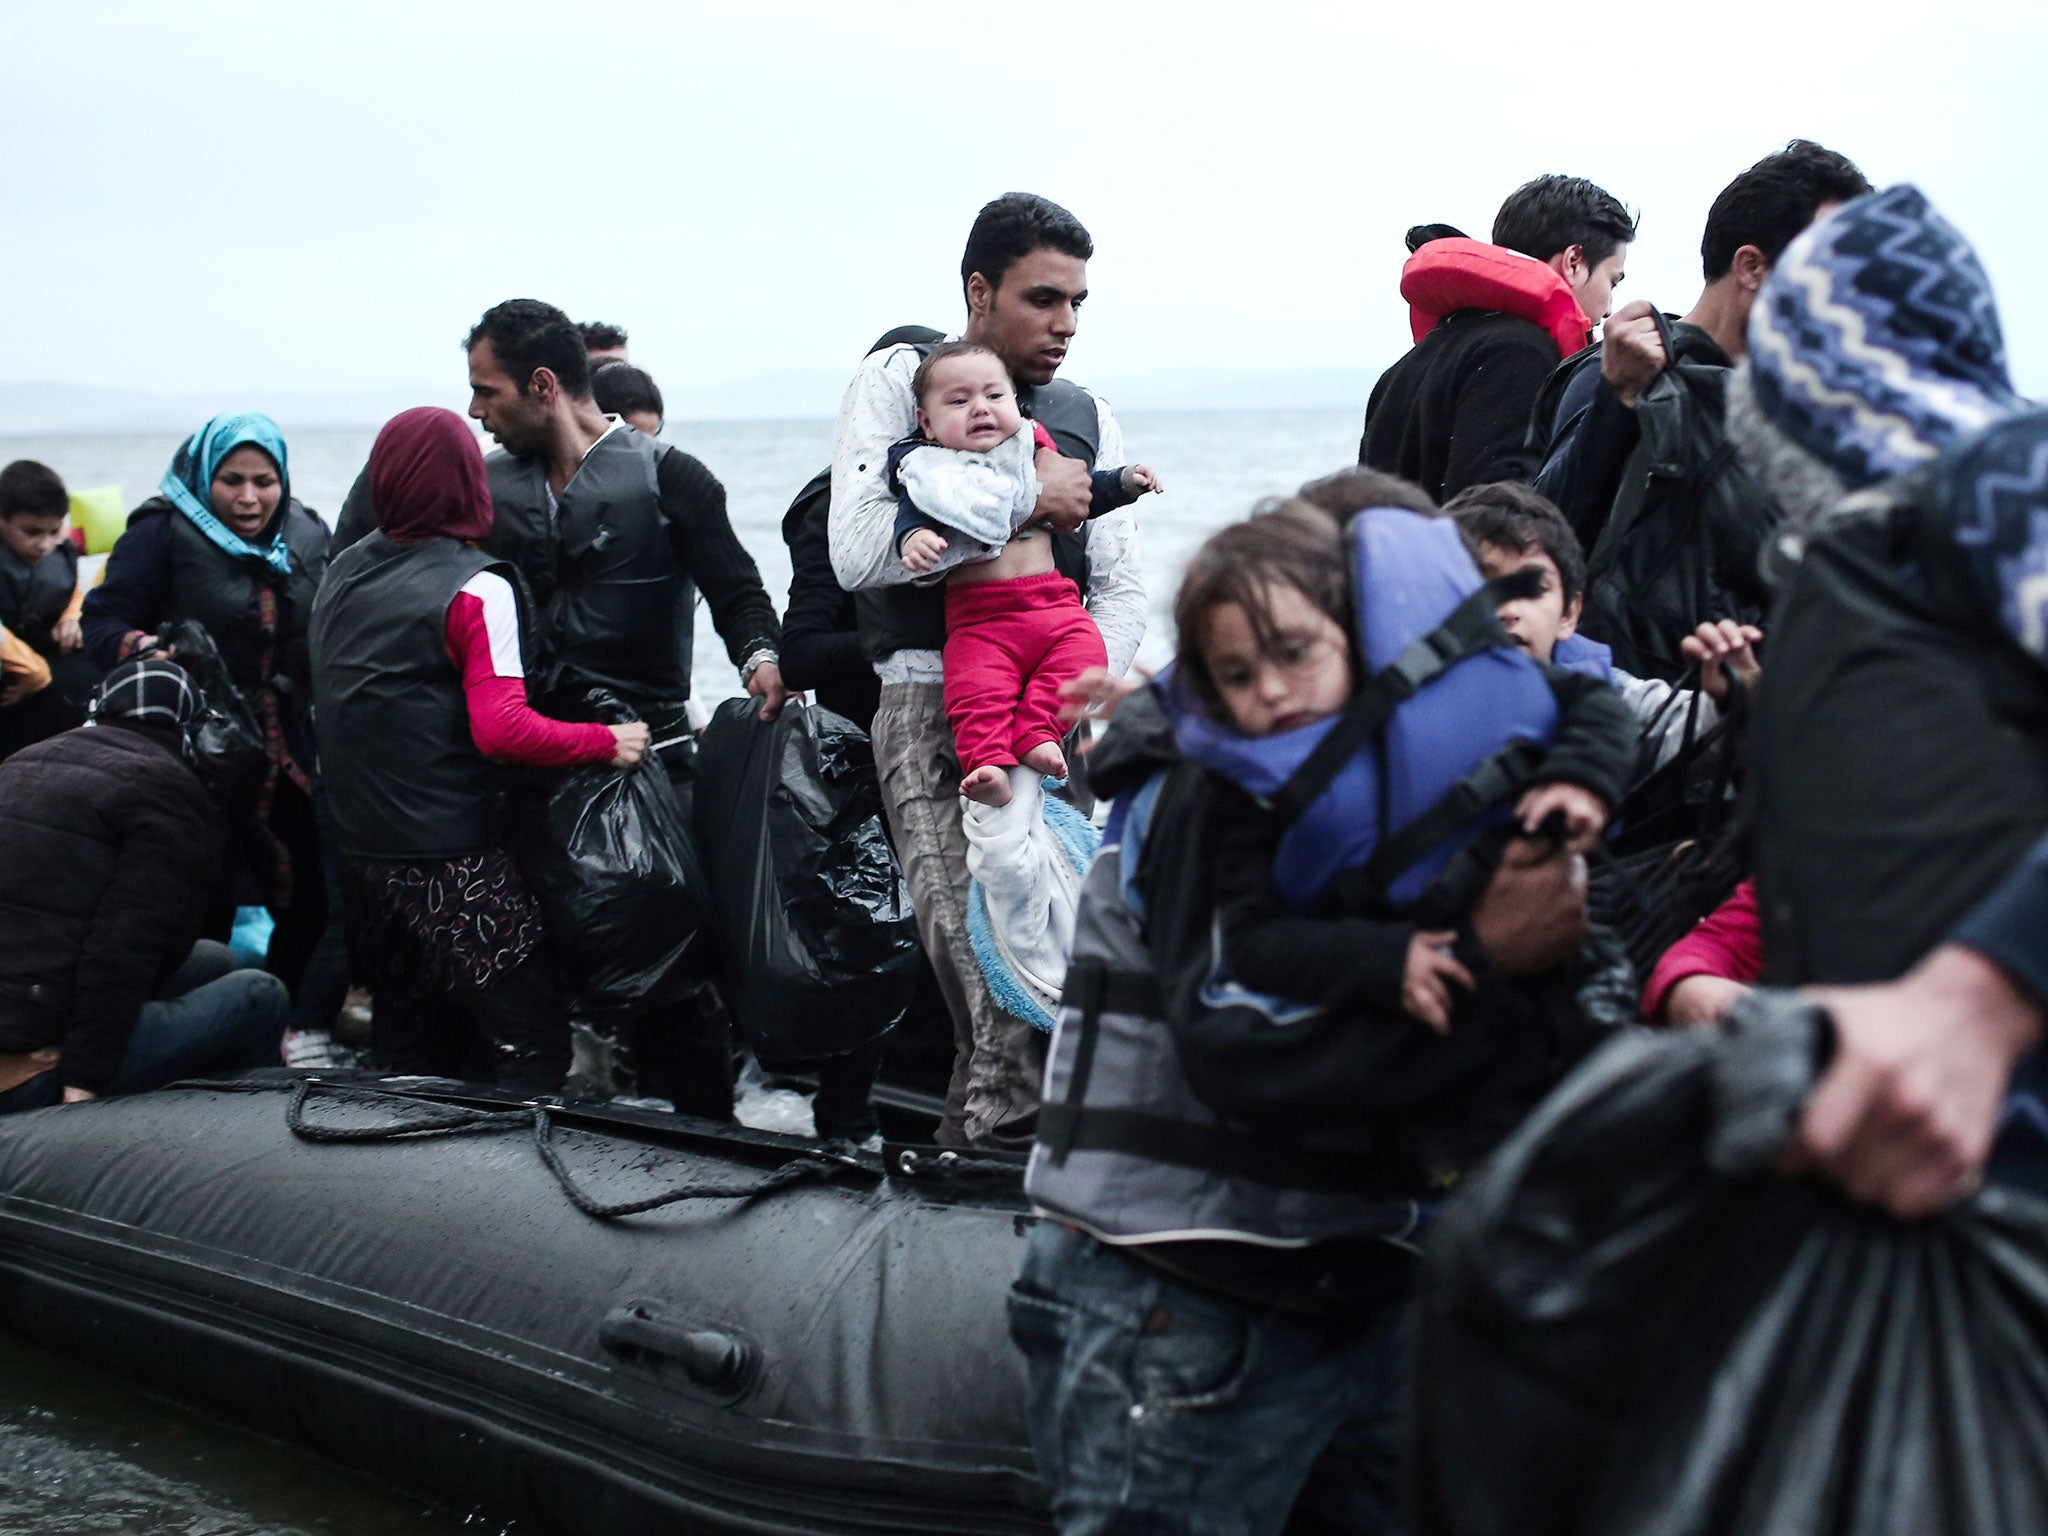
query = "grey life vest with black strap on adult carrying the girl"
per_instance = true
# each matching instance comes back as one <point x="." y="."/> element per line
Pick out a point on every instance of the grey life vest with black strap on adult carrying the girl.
<point x="1125" y="1146"/>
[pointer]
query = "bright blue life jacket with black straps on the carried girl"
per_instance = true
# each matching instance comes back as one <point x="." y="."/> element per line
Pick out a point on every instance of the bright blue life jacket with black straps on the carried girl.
<point x="1447" y="728"/>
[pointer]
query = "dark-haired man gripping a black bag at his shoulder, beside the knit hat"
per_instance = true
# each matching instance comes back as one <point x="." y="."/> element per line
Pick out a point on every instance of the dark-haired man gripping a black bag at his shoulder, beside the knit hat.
<point x="1631" y="431"/>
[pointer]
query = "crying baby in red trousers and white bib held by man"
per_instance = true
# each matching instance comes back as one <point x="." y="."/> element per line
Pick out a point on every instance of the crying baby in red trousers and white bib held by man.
<point x="1015" y="626"/>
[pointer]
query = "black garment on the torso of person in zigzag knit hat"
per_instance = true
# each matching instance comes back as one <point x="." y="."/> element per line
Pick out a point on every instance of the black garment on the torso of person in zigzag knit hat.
<point x="1902" y="749"/>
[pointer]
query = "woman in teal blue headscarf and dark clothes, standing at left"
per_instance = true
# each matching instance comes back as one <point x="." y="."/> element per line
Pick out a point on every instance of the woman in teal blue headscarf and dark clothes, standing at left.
<point x="228" y="546"/>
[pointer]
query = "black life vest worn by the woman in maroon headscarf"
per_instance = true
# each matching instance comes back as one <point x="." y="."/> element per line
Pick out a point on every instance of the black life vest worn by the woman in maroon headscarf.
<point x="402" y="769"/>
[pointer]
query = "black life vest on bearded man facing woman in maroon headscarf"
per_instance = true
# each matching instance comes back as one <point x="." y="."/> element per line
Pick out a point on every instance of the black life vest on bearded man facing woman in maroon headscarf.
<point x="615" y="605"/>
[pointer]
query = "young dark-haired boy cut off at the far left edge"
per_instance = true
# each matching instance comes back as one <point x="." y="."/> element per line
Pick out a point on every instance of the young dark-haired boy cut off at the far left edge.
<point x="40" y="601"/>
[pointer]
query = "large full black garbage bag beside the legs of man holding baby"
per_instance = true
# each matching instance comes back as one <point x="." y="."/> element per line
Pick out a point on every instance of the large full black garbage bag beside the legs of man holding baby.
<point x="820" y="945"/>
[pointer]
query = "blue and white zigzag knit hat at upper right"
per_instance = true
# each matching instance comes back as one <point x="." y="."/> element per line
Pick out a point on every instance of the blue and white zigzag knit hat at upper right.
<point x="1873" y="347"/>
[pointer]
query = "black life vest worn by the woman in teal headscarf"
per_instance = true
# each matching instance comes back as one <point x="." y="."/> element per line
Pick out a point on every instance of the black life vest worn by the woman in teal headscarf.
<point x="220" y="591"/>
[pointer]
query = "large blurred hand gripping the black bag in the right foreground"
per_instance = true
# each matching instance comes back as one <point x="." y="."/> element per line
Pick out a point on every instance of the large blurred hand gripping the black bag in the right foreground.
<point x="1906" y="1113"/>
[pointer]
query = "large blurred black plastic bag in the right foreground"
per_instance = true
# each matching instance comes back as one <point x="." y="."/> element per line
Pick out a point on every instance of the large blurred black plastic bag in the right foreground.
<point x="1633" y="1326"/>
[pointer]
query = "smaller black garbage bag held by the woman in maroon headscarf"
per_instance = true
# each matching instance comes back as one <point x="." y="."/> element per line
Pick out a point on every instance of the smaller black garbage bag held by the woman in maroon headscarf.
<point x="617" y="869"/>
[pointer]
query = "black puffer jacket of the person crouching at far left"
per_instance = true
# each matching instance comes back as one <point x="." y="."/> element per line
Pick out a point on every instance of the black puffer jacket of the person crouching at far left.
<point x="110" y="851"/>
